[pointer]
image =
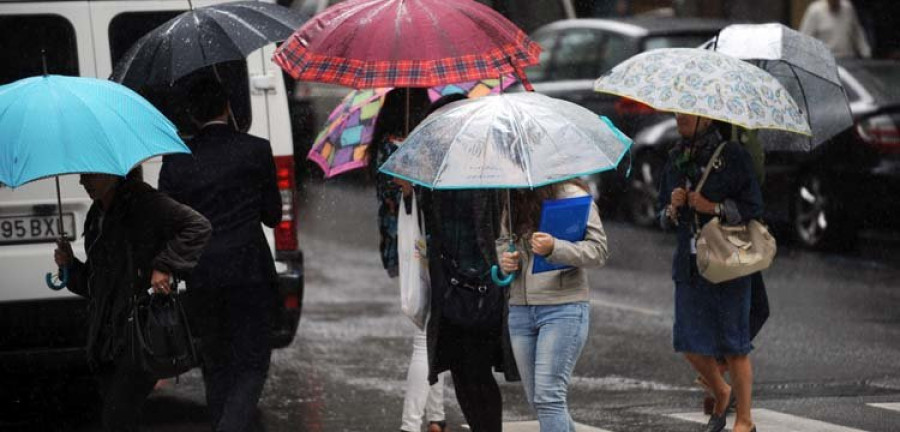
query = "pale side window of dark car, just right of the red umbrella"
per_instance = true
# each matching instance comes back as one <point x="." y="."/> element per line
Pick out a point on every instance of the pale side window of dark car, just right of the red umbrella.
<point x="579" y="55"/>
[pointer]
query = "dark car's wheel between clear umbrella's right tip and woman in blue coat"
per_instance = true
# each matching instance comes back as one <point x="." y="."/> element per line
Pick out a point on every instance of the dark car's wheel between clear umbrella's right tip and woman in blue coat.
<point x="643" y="191"/>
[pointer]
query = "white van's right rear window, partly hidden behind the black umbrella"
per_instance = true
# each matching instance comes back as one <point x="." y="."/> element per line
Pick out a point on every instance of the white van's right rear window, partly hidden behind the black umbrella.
<point x="125" y="29"/>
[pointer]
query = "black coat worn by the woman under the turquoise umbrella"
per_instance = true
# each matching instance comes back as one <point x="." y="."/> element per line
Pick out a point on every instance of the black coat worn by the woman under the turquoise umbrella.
<point x="160" y="234"/>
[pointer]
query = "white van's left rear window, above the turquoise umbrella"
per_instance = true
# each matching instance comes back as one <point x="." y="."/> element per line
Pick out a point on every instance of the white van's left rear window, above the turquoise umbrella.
<point x="23" y="37"/>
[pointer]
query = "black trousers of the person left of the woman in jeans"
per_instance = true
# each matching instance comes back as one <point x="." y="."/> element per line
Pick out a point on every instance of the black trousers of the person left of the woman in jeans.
<point x="471" y="357"/>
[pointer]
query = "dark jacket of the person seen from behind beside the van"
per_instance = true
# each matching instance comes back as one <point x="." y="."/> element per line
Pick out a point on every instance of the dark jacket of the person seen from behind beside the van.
<point x="229" y="179"/>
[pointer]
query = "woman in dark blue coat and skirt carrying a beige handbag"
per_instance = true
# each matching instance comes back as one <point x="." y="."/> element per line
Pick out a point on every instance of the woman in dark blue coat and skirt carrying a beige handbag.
<point x="711" y="320"/>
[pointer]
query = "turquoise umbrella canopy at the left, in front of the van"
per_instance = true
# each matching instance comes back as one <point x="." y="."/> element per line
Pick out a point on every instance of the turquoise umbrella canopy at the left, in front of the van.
<point x="52" y="125"/>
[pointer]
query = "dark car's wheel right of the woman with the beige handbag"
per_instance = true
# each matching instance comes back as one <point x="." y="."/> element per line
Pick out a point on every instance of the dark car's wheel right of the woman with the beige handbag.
<point x="817" y="221"/>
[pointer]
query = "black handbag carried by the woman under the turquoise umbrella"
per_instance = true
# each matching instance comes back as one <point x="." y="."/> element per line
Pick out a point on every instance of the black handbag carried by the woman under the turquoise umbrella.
<point x="163" y="346"/>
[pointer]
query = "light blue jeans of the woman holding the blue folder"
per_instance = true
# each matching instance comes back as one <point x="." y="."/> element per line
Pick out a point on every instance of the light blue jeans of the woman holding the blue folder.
<point x="547" y="341"/>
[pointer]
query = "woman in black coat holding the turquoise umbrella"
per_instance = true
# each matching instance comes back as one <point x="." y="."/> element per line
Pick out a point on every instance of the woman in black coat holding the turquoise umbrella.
<point x="164" y="239"/>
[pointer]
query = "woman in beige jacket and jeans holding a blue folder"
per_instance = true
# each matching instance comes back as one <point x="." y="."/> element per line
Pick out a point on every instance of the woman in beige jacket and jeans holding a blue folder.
<point x="549" y="310"/>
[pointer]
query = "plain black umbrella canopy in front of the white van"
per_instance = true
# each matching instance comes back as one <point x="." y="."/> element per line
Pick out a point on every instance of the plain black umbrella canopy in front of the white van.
<point x="202" y="37"/>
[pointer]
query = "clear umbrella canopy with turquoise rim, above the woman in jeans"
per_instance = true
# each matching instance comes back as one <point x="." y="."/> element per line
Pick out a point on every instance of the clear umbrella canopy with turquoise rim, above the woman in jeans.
<point x="520" y="140"/>
